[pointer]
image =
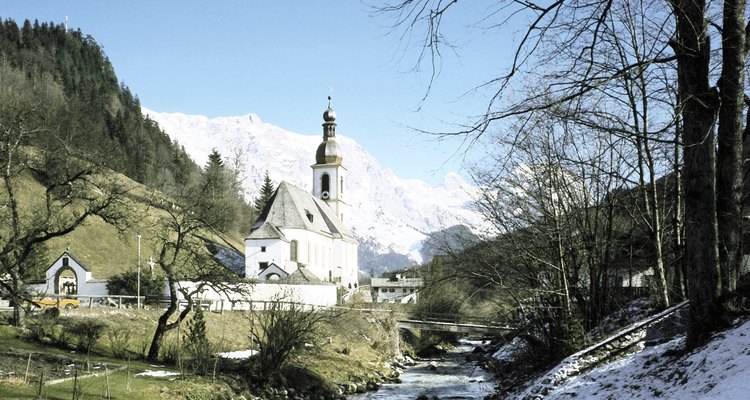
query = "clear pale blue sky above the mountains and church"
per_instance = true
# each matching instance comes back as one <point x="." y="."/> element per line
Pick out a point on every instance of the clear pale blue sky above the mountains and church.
<point x="281" y="59"/>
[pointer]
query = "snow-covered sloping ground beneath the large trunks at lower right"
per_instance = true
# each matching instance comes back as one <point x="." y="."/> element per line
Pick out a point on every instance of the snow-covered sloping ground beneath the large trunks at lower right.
<point x="719" y="370"/>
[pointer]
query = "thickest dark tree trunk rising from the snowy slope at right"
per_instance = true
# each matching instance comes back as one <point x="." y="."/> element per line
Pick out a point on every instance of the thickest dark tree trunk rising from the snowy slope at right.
<point x="700" y="104"/>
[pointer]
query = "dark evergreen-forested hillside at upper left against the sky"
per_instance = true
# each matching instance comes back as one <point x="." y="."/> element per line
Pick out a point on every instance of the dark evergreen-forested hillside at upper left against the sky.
<point x="101" y="116"/>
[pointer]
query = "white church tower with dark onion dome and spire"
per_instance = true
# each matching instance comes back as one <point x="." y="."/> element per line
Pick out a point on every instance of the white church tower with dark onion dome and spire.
<point x="328" y="173"/>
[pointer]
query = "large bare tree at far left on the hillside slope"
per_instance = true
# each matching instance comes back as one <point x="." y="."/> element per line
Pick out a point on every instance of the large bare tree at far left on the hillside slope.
<point x="47" y="192"/>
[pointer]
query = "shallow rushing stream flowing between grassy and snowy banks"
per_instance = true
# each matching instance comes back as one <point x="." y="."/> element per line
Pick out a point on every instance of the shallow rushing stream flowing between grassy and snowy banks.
<point x="448" y="377"/>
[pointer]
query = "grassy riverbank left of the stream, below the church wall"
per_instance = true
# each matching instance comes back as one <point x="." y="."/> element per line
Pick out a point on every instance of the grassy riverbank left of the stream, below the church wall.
<point x="353" y="353"/>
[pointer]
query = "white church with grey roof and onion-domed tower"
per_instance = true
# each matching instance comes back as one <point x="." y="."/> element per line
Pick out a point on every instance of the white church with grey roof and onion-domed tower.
<point x="300" y="237"/>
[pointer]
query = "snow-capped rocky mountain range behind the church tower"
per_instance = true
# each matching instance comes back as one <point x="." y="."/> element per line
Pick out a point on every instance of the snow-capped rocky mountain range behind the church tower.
<point x="390" y="216"/>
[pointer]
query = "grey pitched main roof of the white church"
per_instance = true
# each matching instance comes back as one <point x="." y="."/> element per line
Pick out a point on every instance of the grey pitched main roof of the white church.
<point x="293" y="208"/>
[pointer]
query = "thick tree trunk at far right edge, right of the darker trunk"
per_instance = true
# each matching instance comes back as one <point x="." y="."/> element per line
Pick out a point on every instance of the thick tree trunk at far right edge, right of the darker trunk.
<point x="729" y="179"/>
